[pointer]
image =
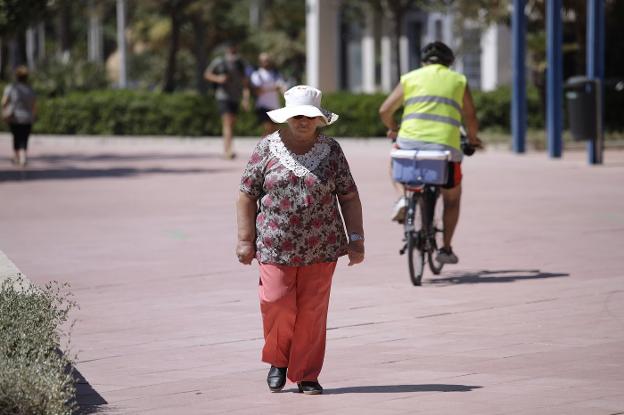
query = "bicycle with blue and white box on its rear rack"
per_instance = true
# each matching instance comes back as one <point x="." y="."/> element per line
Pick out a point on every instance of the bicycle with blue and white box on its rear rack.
<point x="422" y="173"/>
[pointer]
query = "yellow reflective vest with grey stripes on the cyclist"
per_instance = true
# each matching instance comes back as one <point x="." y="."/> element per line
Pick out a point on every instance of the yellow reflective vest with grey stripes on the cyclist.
<point x="433" y="98"/>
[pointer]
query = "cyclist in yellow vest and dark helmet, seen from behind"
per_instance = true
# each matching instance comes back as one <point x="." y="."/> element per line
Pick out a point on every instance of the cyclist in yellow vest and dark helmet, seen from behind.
<point x="435" y="100"/>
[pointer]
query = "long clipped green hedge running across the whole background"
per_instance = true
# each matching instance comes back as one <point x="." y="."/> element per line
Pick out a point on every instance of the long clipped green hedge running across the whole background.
<point x="124" y="112"/>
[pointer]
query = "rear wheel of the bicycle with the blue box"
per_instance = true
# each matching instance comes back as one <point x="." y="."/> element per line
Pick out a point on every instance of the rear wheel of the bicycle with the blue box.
<point x="414" y="237"/>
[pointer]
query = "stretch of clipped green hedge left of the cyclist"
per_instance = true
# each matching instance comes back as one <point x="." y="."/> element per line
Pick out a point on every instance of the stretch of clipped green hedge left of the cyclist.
<point x="125" y="112"/>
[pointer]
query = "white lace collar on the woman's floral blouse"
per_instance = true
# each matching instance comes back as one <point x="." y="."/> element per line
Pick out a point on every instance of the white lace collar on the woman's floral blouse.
<point x="300" y="164"/>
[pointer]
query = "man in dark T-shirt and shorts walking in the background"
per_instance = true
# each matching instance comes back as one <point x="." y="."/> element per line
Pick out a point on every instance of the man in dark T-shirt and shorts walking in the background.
<point x="228" y="73"/>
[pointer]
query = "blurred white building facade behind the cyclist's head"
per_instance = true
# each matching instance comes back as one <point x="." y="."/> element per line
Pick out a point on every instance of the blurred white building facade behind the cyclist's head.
<point x="360" y="56"/>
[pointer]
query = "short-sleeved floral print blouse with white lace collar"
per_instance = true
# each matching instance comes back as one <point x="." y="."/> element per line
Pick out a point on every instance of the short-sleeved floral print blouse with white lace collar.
<point x="298" y="222"/>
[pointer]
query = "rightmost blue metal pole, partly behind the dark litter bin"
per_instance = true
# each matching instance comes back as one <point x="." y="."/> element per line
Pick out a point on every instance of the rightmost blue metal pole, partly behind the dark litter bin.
<point x="595" y="71"/>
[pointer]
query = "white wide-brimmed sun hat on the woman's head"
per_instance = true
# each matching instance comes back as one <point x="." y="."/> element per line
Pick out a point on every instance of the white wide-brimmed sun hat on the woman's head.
<point x="302" y="100"/>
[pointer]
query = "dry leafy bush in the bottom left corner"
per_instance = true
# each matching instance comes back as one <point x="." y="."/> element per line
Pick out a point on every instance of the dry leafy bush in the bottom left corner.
<point x="34" y="372"/>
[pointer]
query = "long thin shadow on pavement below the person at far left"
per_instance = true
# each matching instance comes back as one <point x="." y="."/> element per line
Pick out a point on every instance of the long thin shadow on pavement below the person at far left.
<point x="80" y="173"/>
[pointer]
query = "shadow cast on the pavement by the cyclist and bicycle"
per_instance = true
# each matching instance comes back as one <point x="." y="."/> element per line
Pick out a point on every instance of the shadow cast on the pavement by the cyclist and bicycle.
<point x="494" y="276"/>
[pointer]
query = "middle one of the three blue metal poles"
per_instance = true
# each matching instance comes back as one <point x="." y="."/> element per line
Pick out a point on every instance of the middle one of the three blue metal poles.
<point x="554" y="75"/>
